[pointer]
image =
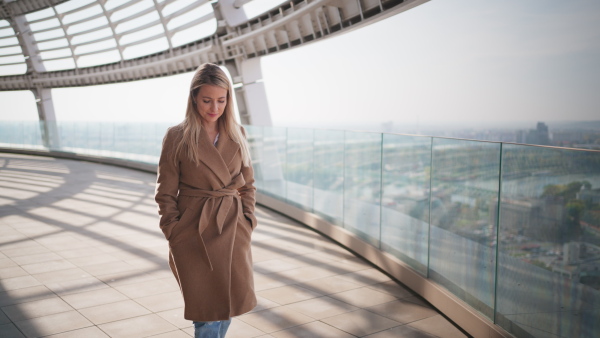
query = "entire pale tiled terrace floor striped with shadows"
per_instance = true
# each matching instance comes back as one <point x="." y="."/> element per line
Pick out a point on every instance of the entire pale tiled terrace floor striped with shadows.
<point x="81" y="255"/>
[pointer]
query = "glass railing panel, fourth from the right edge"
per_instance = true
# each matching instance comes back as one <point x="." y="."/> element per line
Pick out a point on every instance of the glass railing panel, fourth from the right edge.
<point x="362" y="185"/>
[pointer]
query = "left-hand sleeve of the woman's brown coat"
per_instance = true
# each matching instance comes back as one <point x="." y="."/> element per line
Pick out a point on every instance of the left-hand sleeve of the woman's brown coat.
<point x="167" y="184"/>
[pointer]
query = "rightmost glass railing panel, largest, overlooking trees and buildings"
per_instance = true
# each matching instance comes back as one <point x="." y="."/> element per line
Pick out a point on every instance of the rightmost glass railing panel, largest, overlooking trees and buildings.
<point x="549" y="264"/>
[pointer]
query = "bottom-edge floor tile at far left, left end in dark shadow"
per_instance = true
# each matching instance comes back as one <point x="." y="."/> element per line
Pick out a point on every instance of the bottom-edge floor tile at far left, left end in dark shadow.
<point x="52" y="324"/>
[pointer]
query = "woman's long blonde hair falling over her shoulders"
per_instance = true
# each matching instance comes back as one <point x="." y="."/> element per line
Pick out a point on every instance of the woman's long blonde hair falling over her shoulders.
<point x="210" y="74"/>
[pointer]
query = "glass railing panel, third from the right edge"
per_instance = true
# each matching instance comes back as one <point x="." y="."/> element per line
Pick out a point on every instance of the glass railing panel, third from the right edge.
<point x="405" y="202"/>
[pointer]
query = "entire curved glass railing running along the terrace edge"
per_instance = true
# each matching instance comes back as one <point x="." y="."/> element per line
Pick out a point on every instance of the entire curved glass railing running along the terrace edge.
<point x="512" y="230"/>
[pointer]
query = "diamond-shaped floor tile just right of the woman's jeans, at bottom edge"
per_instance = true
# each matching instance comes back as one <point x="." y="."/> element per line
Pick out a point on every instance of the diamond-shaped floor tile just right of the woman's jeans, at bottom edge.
<point x="275" y="319"/>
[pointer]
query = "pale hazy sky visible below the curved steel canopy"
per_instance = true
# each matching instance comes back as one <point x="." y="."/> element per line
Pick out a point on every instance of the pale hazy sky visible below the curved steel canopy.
<point x="464" y="63"/>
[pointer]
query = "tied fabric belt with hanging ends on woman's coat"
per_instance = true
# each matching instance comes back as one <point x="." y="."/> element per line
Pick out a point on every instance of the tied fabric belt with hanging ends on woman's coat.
<point x="217" y="206"/>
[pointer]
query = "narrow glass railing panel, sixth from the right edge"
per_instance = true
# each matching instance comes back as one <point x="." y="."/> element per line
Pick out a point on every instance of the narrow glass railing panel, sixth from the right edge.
<point x="299" y="168"/>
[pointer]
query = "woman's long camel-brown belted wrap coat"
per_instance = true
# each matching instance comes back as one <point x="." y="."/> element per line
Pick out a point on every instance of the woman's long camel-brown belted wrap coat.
<point x="207" y="215"/>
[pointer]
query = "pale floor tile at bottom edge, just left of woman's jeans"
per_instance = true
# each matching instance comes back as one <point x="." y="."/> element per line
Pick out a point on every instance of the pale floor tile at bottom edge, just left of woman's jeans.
<point x="143" y="326"/>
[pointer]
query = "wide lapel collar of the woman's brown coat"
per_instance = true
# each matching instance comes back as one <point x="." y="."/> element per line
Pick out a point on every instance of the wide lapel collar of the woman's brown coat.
<point x="217" y="158"/>
